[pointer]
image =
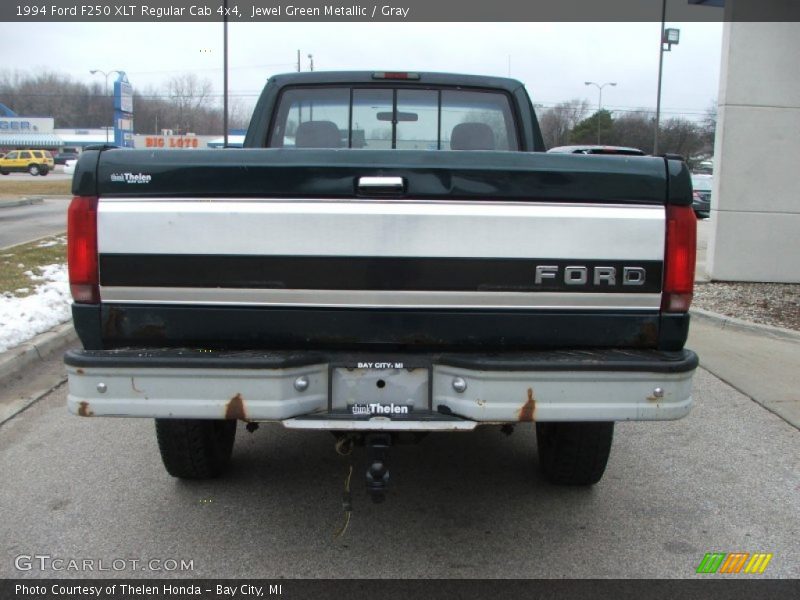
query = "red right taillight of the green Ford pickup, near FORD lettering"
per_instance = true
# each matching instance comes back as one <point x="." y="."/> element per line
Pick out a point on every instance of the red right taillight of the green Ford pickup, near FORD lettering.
<point x="679" y="259"/>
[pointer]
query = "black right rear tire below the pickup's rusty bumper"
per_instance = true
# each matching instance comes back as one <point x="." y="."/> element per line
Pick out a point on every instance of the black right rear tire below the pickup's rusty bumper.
<point x="574" y="453"/>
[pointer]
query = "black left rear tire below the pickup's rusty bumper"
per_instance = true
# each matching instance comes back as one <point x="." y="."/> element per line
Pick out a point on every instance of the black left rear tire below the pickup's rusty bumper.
<point x="195" y="448"/>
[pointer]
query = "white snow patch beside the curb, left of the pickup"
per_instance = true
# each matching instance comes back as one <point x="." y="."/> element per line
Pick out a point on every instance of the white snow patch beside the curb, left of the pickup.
<point x="21" y="319"/>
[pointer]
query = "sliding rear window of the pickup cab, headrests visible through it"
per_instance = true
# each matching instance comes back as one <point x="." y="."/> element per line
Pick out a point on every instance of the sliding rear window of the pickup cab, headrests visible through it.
<point x="380" y="118"/>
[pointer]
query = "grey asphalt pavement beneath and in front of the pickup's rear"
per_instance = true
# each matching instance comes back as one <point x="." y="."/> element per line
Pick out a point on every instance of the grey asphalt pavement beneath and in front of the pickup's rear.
<point x="724" y="479"/>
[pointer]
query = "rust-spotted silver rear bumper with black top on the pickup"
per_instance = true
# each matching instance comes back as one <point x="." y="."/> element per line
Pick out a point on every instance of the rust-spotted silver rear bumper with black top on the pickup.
<point x="463" y="390"/>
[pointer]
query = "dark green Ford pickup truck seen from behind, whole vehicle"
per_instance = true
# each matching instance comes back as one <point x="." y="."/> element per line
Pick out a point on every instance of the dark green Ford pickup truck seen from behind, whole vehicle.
<point x="389" y="253"/>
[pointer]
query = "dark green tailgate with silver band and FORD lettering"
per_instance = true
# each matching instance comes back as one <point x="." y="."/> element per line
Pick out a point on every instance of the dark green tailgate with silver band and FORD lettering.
<point x="475" y="250"/>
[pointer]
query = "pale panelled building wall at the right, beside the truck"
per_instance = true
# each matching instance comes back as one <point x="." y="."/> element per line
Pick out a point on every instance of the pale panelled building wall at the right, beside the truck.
<point x="755" y="205"/>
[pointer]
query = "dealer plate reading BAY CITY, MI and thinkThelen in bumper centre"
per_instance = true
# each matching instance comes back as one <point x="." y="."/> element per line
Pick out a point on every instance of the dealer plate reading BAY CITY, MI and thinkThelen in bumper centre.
<point x="388" y="390"/>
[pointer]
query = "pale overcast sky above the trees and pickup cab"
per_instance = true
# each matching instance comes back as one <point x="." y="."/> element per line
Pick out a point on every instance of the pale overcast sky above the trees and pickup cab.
<point x="552" y="59"/>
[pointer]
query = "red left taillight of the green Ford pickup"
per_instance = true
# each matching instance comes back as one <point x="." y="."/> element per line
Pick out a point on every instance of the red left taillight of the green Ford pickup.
<point x="82" y="250"/>
